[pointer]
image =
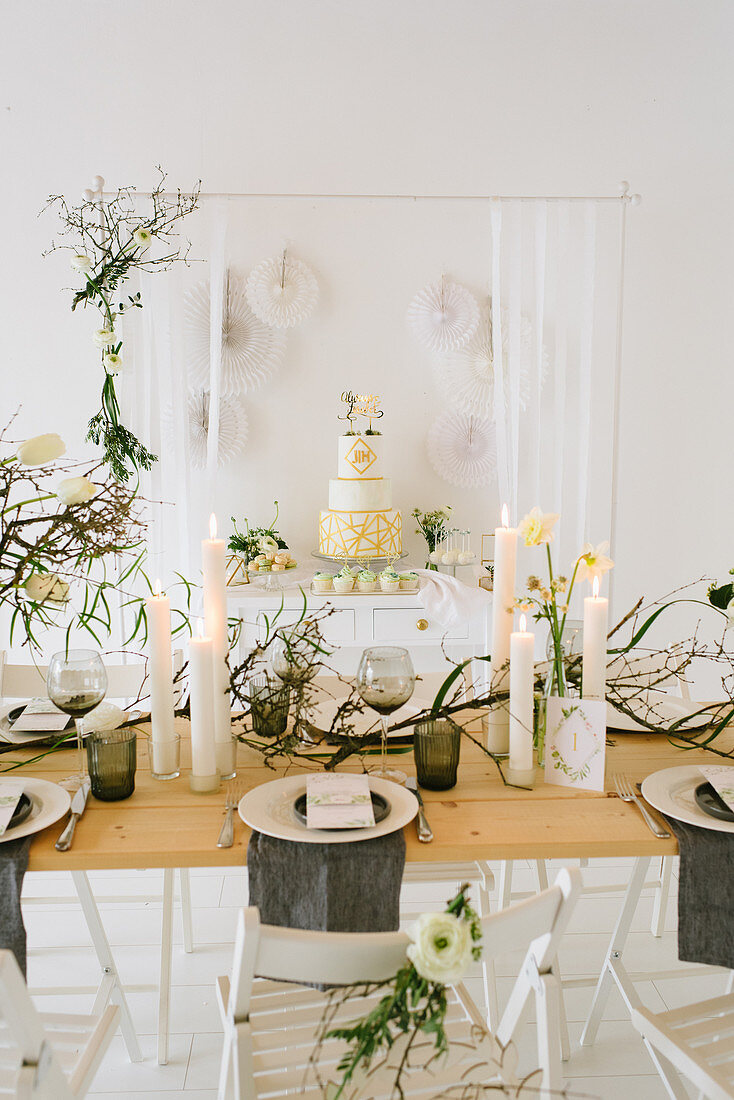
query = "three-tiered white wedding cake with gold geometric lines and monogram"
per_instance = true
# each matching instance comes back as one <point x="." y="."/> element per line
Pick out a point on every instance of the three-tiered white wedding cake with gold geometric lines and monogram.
<point x="360" y="522"/>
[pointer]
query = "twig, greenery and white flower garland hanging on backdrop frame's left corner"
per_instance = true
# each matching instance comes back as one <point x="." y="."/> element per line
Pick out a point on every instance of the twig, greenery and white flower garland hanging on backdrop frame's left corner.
<point x="111" y="240"/>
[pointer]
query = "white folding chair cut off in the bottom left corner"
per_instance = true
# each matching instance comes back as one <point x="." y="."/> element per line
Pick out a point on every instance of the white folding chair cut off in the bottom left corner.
<point x="47" y="1057"/>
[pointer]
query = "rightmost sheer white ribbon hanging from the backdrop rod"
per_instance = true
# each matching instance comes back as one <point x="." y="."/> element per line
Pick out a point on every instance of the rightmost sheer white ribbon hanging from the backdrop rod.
<point x="586" y="360"/>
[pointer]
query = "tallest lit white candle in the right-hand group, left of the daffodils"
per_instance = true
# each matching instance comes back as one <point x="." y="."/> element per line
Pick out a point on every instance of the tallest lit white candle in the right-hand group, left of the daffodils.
<point x="506" y="553"/>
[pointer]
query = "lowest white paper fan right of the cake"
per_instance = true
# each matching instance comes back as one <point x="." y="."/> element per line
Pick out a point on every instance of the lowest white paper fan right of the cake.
<point x="463" y="449"/>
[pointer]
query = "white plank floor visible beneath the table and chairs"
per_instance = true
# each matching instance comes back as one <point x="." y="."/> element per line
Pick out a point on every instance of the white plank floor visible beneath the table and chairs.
<point x="618" y="1066"/>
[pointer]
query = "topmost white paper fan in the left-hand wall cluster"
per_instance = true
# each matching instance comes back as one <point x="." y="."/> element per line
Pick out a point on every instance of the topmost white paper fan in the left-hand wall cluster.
<point x="282" y="292"/>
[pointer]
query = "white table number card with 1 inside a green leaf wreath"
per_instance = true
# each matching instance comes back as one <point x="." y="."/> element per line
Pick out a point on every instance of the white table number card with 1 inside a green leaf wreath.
<point x="576" y="743"/>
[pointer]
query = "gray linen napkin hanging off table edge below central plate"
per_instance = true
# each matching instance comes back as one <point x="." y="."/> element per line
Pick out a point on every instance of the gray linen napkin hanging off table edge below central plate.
<point x="353" y="887"/>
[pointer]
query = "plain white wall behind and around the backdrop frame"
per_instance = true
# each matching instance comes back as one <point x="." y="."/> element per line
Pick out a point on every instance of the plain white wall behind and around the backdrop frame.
<point x="428" y="96"/>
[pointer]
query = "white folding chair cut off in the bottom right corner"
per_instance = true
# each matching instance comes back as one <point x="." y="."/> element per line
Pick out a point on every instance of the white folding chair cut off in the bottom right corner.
<point x="696" y="1041"/>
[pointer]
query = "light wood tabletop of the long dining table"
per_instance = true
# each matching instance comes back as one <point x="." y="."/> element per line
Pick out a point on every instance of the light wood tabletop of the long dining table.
<point x="163" y="824"/>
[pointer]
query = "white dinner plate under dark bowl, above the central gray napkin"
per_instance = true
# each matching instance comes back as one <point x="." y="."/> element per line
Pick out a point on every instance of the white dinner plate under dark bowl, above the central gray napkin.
<point x="269" y="810"/>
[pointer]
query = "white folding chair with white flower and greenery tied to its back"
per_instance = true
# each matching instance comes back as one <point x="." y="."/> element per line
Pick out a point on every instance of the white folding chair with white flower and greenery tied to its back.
<point x="270" y="1025"/>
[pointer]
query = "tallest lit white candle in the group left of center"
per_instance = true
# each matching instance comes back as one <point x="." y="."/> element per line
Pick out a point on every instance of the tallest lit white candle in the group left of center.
<point x="215" y="623"/>
